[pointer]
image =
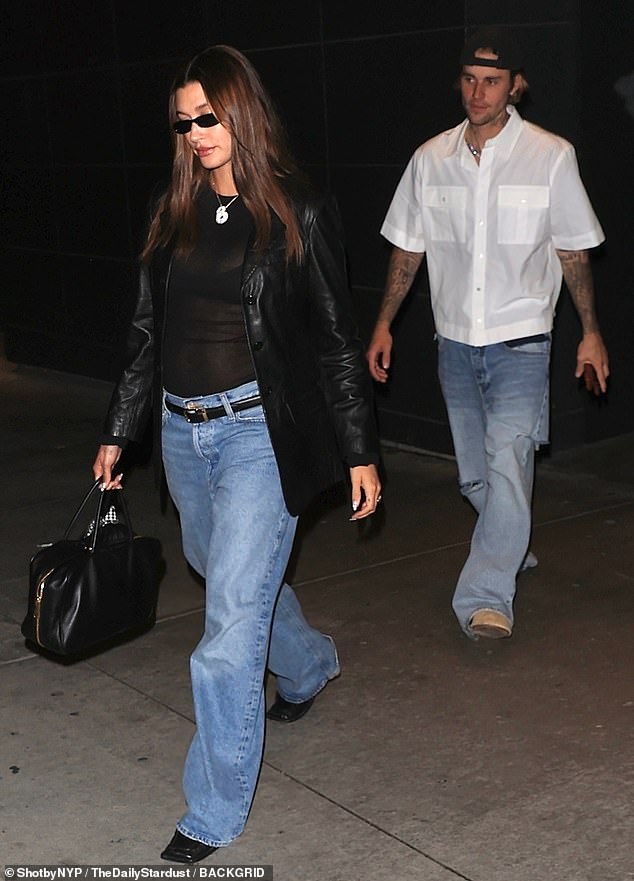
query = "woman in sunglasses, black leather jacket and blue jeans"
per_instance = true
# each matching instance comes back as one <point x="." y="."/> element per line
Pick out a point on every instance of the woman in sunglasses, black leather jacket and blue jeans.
<point x="244" y="336"/>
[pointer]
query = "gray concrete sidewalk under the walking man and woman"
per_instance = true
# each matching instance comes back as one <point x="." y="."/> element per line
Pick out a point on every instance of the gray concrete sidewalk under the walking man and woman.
<point x="430" y="758"/>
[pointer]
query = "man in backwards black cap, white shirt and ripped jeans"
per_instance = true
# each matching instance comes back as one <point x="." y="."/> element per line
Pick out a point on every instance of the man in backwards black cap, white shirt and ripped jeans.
<point x="498" y="207"/>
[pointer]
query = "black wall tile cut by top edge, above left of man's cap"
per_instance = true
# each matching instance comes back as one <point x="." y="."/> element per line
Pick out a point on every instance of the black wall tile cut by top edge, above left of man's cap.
<point x="361" y="18"/>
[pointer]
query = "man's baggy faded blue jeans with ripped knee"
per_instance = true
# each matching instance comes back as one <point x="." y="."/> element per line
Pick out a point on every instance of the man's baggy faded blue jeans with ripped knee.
<point x="497" y="402"/>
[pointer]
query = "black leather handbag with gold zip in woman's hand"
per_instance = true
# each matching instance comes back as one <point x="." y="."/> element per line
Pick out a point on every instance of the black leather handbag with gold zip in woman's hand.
<point x="87" y="590"/>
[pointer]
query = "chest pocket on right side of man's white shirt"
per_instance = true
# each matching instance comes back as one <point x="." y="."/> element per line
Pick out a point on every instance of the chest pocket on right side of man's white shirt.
<point x="522" y="214"/>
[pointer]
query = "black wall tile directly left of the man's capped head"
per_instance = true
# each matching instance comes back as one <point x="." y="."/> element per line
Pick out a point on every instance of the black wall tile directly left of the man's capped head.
<point x="384" y="97"/>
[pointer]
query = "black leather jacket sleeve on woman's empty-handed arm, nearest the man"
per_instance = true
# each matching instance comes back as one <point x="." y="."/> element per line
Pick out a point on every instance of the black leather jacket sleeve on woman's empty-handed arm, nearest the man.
<point x="345" y="373"/>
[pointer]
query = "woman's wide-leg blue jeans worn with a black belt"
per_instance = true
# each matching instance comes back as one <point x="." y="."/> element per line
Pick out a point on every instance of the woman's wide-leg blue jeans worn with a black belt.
<point x="237" y="534"/>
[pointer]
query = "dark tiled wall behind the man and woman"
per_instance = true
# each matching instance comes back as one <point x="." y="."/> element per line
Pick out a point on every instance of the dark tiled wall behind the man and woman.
<point x="359" y="85"/>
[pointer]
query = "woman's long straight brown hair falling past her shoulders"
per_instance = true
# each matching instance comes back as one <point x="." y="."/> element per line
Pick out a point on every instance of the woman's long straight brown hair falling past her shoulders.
<point x="260" y="158"/>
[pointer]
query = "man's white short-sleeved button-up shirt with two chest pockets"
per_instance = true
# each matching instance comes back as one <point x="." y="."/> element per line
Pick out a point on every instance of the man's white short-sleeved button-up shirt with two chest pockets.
<point x="490" y="231"/>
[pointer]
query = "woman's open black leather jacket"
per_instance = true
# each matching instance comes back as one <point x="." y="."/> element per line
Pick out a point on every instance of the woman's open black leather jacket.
<point x="308" y="358"/>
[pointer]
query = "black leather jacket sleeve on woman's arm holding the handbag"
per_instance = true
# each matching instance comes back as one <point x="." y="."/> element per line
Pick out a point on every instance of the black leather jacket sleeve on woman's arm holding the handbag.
<point x="131" y="398"/>
